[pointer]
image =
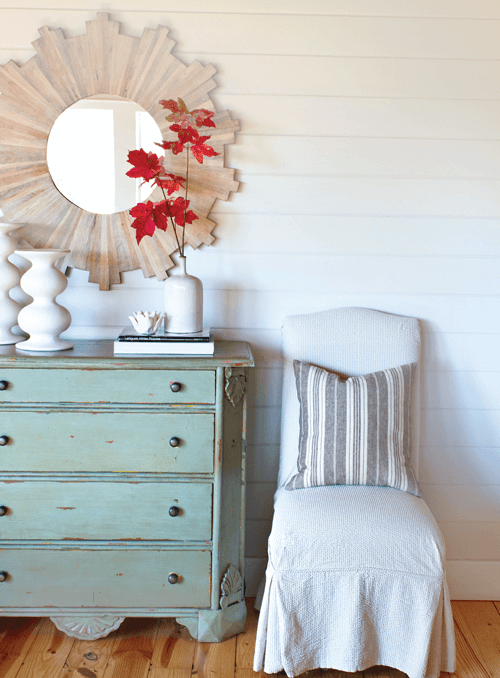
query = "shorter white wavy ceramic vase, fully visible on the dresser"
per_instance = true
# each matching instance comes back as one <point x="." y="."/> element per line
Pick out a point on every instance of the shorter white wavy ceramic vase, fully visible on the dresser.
<point x="44" y="319"/>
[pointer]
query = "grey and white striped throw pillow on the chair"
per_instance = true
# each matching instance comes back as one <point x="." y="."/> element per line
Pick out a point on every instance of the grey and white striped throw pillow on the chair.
<point x="355" y="431"/>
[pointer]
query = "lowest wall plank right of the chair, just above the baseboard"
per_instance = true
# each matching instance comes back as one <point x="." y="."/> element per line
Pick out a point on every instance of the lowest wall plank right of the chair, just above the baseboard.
<point x="470" y="541"/>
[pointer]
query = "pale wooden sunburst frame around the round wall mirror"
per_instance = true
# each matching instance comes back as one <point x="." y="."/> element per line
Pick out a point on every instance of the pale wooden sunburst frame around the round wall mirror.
<point x="64" y="71"/>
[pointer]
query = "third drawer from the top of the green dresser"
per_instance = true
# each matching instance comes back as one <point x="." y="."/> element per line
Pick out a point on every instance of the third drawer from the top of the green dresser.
<point x="105" y="510"/>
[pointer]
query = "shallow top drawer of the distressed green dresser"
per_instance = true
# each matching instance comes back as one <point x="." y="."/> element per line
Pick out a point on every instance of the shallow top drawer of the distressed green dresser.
<point x="107" y="386"/>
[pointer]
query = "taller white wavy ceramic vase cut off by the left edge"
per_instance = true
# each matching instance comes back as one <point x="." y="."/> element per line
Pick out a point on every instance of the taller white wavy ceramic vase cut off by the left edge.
<point x="9" y="278"/>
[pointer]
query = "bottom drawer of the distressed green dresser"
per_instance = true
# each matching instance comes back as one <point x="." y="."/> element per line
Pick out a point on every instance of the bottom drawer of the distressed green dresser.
<point x="131" y="578"/>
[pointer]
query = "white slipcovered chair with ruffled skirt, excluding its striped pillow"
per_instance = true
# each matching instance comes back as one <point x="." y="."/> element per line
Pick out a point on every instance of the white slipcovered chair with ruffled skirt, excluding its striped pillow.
<point x="356" y="573"/>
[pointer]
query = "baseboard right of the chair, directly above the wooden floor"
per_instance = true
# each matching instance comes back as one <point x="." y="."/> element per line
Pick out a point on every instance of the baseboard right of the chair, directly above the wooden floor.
<point x="473" y="580"/>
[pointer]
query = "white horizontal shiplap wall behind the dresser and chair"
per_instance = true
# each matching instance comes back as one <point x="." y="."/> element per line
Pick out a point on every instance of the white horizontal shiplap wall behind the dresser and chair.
<point x="369" y="161"/>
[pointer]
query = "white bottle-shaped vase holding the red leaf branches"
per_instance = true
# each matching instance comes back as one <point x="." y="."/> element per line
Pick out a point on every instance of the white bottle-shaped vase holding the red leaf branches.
<point x="183" y="302"/>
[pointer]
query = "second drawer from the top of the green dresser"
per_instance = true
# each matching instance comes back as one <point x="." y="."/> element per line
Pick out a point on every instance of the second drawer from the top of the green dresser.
<point x="107" y="441"/>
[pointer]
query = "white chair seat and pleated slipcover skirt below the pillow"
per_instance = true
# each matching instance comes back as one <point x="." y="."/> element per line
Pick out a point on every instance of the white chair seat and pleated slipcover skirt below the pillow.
<point x="336" y="597"/>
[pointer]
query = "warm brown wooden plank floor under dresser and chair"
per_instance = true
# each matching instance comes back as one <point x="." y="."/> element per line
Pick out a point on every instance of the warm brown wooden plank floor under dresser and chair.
<point x="148" y="648"/>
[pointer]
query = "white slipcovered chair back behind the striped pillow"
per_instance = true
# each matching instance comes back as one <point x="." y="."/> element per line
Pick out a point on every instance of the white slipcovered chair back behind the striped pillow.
<point x="350" y="342"/>
